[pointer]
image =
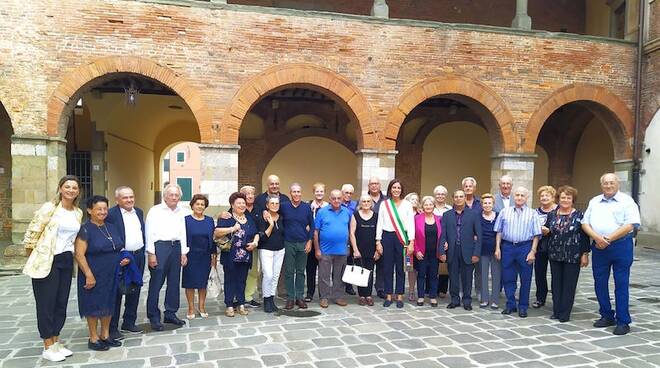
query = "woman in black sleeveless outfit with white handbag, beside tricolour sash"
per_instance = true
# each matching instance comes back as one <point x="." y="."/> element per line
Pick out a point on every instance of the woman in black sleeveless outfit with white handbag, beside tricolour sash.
<point x="363" y="241"/>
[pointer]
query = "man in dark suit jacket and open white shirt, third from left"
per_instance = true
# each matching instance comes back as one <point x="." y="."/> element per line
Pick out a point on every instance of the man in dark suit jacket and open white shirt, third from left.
<point x="130" y="222"/>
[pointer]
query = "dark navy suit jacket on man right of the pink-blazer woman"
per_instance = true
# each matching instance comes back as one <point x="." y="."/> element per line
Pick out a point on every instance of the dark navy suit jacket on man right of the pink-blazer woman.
<point x="470" y="235"/>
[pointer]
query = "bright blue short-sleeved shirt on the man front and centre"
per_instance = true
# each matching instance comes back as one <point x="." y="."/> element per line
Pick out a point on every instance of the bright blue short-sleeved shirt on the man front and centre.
<point x="333" y="230"/>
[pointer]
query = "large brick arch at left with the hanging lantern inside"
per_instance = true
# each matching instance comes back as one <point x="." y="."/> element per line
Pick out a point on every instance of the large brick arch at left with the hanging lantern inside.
<point x="64" y="96"/>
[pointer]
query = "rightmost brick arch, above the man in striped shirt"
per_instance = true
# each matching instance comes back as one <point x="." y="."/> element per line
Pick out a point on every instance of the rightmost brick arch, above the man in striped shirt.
<point x="604" y="104"/>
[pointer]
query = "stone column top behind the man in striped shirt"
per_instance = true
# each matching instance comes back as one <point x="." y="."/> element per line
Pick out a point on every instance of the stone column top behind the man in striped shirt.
<point x="519" y="166"/>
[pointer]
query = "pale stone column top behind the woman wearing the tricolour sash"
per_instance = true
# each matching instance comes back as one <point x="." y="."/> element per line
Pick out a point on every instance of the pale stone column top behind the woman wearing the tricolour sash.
<point x="373" y="162"/>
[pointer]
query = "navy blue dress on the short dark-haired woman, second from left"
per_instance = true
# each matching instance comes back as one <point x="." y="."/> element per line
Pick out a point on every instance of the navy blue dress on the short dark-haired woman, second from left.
<point x="103" y="259"/>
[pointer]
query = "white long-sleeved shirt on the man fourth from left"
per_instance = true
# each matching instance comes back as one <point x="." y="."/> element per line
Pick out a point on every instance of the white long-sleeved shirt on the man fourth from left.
<point x="167" y="225"/>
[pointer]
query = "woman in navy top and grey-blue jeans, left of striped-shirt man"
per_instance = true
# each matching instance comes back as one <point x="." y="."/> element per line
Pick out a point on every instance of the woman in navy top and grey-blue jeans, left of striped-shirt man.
<point x="488" y="263"/>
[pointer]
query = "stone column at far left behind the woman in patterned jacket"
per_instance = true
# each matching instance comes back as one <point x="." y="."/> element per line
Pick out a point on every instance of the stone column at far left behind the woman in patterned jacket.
<point x="37" y="165"/>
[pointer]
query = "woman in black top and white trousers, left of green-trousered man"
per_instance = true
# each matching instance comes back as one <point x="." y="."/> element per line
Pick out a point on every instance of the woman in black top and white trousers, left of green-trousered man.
<point x="271" y="253"/>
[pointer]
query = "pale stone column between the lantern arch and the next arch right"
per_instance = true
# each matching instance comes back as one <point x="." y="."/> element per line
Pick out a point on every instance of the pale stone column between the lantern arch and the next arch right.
<point x="219" y="177"/>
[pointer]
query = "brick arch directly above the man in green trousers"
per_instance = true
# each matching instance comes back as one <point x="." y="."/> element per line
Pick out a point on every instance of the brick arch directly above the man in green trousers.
<point x="314" y="77"/>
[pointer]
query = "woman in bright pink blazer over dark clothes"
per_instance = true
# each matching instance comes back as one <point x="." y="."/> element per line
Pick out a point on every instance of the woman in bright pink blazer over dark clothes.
<point x="427" y="233"/>
